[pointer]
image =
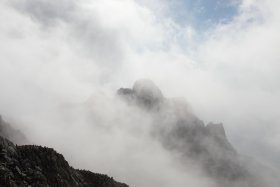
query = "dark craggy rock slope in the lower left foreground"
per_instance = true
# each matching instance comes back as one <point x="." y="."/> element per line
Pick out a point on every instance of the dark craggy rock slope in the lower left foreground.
<point x="31" y="165"/>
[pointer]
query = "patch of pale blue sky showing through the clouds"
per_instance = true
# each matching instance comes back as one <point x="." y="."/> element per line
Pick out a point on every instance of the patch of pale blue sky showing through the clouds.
<point x="204" y="13"/>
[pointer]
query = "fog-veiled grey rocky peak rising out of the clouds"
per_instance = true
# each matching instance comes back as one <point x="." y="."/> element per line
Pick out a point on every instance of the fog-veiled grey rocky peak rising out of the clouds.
<point x="179" y="130"/>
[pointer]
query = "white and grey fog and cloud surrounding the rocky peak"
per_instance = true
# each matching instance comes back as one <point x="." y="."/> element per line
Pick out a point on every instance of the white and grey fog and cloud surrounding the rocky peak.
<point x="62" y="62"/>
